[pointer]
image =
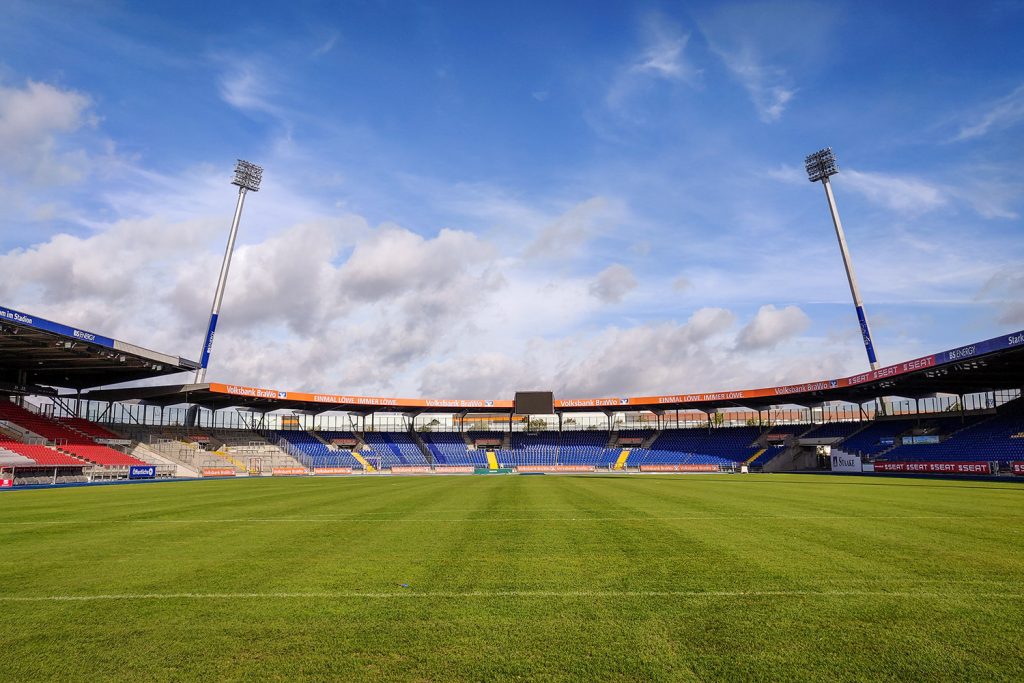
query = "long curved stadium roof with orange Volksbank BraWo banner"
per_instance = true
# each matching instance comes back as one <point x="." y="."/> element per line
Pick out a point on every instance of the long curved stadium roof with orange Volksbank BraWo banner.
<point x="990" y="366"/>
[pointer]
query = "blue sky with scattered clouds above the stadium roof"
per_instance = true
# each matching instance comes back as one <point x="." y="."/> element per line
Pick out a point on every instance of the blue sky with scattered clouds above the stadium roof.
<point x="462" y="199"/>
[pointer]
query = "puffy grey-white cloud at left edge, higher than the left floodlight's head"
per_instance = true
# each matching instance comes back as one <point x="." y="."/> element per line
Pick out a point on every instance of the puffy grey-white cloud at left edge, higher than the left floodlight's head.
<point x="33" y="120"/>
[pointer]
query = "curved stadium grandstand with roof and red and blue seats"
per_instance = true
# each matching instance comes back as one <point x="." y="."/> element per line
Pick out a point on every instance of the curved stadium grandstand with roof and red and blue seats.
<point x="955" y="412"/>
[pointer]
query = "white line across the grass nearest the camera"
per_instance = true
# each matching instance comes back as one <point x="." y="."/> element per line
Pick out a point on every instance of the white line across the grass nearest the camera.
<point x="345" y="595"/>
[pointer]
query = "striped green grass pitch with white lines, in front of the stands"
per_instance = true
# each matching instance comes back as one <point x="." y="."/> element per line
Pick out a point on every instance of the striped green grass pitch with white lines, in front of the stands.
<point x="515" y="578"/>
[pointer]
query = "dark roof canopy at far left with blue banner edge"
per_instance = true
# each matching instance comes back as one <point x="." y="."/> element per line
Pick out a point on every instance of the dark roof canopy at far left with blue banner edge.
<point x="36" y="354"/>
